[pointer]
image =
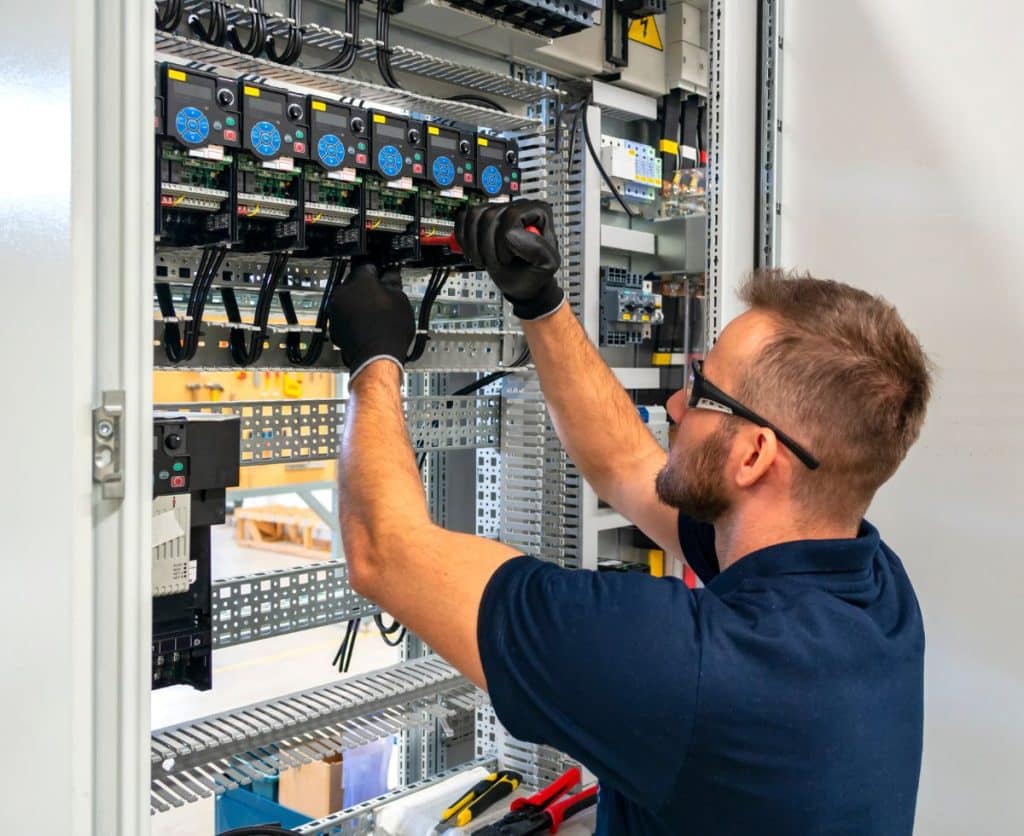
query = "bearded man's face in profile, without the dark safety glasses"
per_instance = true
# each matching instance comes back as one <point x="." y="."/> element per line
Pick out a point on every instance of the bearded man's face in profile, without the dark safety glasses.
<point x="696" y="478"/>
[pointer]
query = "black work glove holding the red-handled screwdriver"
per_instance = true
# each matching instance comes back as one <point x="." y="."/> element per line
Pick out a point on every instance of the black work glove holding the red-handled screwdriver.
<point x="521" y="263"/>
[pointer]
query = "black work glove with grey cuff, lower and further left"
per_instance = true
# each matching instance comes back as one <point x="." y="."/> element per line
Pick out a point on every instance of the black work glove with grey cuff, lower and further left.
<point x="371" y="318"/>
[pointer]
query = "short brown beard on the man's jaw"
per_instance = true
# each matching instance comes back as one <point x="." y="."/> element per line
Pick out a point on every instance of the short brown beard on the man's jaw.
<point x="694" y="480"/>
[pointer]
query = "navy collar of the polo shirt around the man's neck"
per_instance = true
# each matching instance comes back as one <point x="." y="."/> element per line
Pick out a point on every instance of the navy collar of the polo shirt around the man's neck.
<point x="802" y="558"/>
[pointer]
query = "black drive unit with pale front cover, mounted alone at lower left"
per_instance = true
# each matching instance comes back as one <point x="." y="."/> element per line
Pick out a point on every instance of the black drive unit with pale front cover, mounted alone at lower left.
<point x="195" y="459"/>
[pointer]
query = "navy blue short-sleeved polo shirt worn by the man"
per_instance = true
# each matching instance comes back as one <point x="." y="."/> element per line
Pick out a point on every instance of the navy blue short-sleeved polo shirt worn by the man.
<point x="784" y="698"/>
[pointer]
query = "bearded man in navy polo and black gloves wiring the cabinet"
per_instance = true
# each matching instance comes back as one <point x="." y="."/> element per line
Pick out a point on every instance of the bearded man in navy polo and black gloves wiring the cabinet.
<point x="784" y="698"/>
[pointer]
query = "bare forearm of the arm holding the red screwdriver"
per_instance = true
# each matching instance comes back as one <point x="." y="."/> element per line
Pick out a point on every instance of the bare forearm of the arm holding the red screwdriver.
<point x="595" y="419"/>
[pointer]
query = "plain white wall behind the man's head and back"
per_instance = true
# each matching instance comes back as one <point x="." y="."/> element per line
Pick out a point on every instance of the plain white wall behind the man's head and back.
<point x="902" y="154"/>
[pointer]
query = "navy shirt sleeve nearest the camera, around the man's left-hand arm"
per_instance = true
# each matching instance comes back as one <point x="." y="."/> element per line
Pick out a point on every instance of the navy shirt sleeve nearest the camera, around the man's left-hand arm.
<point x="604" y="666"/>
